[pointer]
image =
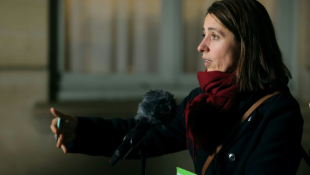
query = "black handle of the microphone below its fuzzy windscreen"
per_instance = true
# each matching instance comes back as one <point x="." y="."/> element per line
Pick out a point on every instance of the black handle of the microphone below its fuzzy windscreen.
<point x="131" y="140"/>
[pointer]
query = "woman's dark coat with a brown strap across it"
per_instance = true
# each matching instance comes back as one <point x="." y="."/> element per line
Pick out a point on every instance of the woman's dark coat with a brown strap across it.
<point x="268" y="142"/>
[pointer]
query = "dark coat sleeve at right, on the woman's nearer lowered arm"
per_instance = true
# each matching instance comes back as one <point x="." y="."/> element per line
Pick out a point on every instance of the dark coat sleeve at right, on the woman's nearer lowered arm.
<point x="279" y="149"/>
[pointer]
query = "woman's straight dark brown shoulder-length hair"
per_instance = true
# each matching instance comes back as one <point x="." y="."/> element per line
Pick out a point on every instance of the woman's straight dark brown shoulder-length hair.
<point x="260" y="64"/>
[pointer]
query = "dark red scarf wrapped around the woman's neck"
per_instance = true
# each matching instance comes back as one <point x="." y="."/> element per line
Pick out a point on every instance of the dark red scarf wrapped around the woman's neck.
<point x="208" y="116"/>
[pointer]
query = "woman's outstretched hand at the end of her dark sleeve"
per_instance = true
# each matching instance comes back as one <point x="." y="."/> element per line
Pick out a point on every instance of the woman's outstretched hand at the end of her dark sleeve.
<point x="66" y="133"/>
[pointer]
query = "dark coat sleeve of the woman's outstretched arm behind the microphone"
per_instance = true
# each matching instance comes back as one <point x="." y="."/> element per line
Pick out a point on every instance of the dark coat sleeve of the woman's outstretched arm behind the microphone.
<point x="97" y="136"/>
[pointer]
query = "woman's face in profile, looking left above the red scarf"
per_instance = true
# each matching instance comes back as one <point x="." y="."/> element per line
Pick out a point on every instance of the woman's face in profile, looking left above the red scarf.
<point x="219" y="49"/>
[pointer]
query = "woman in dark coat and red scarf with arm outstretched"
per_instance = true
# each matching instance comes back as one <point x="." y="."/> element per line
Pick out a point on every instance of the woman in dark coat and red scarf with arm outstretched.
<point x="244" y="64"/>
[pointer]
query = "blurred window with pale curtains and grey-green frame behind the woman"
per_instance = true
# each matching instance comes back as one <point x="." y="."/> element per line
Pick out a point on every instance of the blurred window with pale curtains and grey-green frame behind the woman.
<point x="110" y="49"/>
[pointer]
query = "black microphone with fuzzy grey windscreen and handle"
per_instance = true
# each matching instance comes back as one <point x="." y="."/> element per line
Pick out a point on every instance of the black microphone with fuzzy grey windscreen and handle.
<point x="157" y="108"/>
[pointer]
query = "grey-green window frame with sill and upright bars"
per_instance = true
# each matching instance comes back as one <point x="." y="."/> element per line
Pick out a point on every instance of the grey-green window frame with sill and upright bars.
<point x="83" y="86"/>
